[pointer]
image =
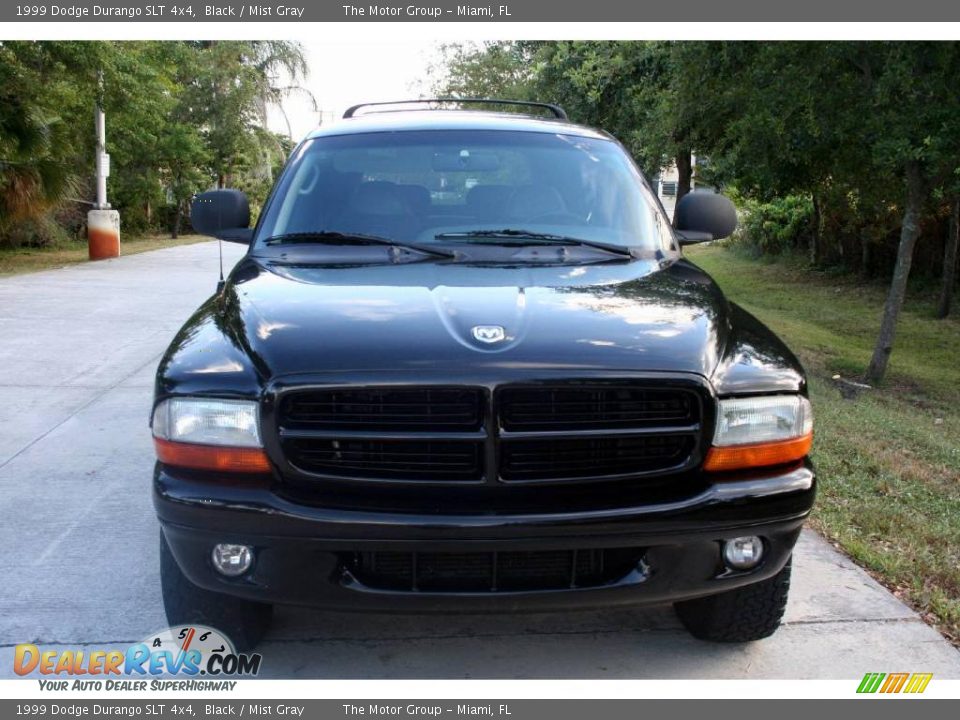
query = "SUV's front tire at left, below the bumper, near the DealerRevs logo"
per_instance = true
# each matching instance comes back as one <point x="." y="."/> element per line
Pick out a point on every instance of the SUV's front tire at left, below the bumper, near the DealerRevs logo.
<point x="243" y="621"/>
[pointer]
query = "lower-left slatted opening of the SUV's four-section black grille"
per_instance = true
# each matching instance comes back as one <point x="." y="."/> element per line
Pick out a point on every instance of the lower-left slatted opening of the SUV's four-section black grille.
<point x="388" y="459"/>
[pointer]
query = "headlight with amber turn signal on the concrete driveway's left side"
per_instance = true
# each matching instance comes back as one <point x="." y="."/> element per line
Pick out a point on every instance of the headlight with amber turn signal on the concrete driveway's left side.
<point x="209" y="434"/>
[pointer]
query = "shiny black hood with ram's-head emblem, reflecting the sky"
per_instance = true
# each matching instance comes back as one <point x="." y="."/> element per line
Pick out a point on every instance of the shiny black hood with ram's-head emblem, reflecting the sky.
<point x="644" y="315"/>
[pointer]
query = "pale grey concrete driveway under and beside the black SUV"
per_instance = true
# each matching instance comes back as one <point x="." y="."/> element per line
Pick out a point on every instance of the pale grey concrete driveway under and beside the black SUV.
<point x="79" y="538"/>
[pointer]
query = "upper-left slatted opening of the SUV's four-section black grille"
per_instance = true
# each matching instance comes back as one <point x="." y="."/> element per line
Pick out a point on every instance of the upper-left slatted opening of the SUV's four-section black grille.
<point x="385" y="408"/>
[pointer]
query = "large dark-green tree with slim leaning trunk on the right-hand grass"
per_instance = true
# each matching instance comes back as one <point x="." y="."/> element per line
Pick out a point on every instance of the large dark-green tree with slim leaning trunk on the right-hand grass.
<point x="873" y="124"/>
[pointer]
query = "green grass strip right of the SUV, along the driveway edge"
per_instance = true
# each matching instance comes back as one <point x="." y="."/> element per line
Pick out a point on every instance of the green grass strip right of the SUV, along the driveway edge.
<point x="889" y="461"/>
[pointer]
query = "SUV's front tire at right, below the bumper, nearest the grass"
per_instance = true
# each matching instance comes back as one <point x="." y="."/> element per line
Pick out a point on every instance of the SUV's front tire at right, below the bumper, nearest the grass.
<point x="752" y="612"/>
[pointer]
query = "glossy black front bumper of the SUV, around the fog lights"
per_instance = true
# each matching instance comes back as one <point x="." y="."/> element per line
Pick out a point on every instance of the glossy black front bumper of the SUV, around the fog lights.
<point x="302" y="551"/>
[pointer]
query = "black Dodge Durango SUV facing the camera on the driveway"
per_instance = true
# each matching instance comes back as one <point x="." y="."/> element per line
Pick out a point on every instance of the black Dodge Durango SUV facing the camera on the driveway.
<point x="464" y="367"/>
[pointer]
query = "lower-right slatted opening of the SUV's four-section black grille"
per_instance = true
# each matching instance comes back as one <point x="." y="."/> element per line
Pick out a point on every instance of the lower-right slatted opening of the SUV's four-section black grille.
<point x="570" y="458"/>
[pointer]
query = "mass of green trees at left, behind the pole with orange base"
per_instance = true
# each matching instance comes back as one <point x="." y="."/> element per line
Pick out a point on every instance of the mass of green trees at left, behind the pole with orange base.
<point x="180" y="116"/>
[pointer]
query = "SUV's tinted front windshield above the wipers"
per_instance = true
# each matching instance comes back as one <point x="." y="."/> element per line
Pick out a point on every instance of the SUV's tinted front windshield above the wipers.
<point x="440" y="186"/>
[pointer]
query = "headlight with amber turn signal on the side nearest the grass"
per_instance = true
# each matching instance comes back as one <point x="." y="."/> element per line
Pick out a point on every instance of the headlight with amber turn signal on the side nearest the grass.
<point x="760" y="431"/>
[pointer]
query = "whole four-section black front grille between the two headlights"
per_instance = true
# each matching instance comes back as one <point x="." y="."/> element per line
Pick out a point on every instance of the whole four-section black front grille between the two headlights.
<point x="578" y="430"/>
